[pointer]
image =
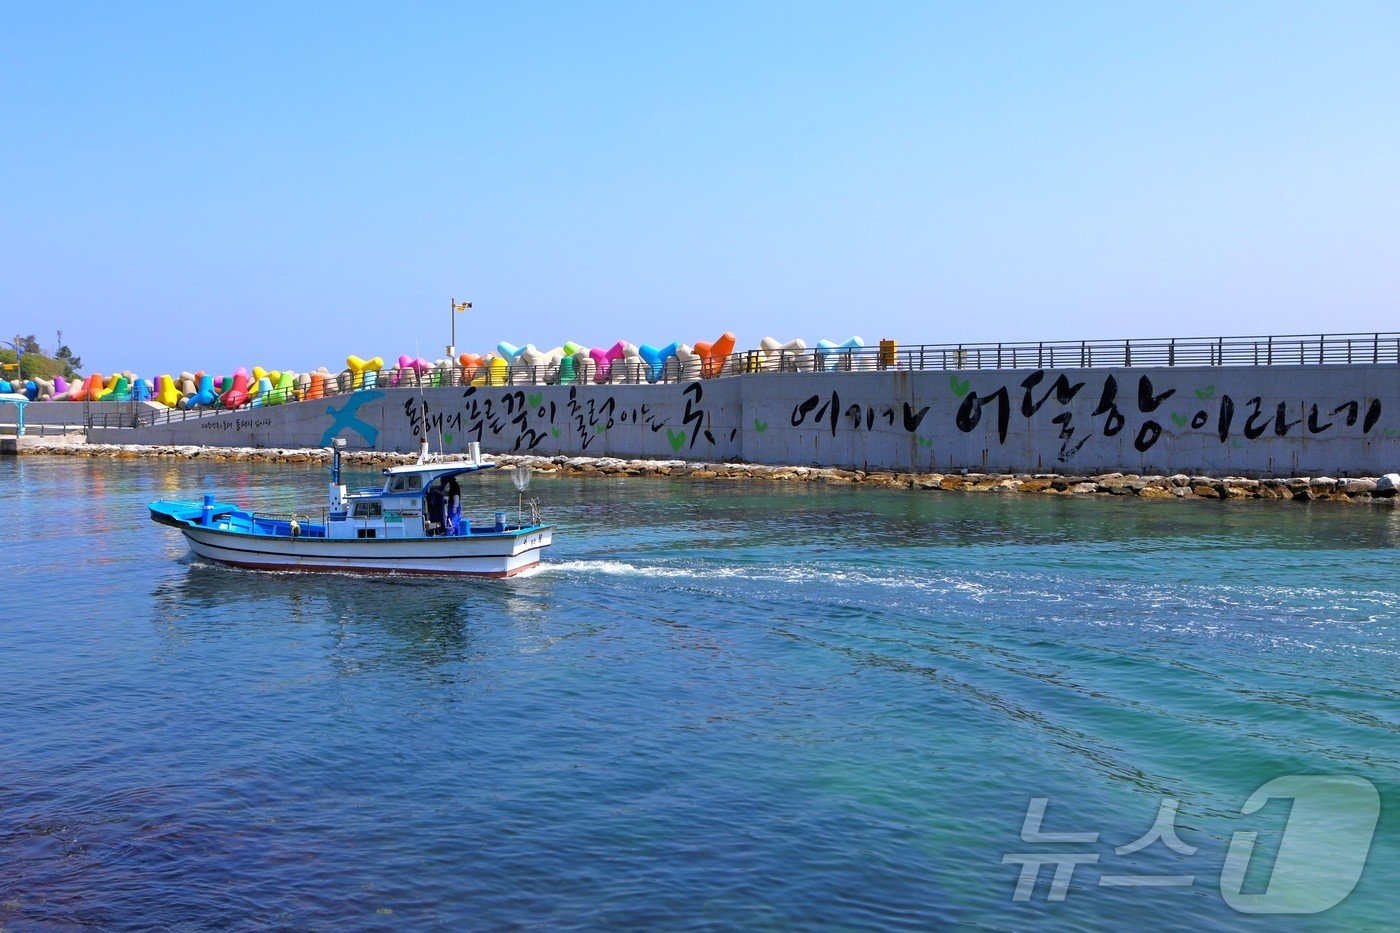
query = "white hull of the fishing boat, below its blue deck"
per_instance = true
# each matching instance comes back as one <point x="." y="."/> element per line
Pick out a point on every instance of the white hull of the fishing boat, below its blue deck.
<point x="485" y="557"/>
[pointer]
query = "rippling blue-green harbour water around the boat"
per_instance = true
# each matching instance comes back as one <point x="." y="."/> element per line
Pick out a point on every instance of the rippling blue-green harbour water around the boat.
<point x="720" y="705"/>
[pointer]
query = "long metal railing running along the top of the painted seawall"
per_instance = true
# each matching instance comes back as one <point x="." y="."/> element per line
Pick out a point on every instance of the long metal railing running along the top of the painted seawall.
<point x="1331" y="350"/>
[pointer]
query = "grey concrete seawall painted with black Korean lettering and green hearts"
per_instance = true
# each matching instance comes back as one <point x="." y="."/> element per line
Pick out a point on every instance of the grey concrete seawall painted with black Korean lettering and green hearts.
<point x="1280" y="421"/>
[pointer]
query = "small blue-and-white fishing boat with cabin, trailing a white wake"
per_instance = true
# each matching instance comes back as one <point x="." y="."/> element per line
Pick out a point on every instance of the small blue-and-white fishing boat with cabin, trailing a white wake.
<point x="412" y="525"/>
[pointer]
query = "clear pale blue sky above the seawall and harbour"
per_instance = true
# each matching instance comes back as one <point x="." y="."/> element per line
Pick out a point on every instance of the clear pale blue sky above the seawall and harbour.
<point x="201" y="187"/>
